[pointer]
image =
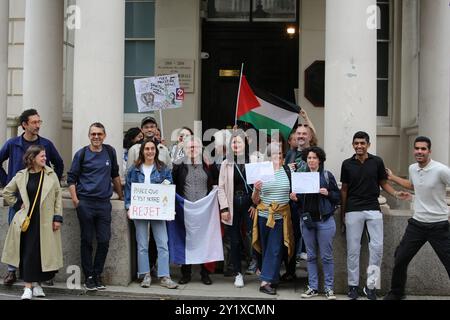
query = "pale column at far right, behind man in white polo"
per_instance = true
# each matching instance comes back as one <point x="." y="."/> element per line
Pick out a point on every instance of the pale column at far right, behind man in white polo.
<point x="434" y="82"/>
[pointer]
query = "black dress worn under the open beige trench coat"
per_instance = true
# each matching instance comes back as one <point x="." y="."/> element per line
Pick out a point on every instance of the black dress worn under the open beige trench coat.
<point x="30" y="241"/>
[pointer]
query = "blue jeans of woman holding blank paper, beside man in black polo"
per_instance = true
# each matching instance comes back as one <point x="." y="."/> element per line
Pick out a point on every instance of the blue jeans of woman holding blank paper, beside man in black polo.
<point x="320" y="238"/>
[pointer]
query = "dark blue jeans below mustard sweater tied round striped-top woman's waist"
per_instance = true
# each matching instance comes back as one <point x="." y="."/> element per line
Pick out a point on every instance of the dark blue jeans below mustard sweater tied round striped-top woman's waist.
<point x="272" y="249"/>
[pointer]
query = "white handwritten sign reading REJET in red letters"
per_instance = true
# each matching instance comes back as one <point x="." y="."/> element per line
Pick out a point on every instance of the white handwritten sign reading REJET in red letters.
<point x="152" y="201"/>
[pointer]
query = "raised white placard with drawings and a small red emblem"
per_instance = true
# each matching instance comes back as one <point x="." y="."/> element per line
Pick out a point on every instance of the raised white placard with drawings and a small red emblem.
<point x="158" y="93"/>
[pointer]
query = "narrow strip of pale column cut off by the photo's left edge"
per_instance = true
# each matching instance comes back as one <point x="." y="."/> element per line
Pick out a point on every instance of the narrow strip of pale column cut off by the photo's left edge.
<point x="4" y="27"/>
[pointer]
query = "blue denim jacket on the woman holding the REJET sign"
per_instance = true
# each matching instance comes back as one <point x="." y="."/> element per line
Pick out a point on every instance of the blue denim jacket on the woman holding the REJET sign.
<point x="136" y="175"/>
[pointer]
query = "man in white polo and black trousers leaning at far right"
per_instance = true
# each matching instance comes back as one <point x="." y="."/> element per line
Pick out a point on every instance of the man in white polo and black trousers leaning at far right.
<point x="429" y="179"/>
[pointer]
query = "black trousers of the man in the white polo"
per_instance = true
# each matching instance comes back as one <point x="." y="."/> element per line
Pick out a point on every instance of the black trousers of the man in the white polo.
<point x="416" y="235"/>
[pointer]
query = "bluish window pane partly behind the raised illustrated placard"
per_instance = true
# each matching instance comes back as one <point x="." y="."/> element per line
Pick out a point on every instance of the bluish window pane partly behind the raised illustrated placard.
<point x="139" y="47"/>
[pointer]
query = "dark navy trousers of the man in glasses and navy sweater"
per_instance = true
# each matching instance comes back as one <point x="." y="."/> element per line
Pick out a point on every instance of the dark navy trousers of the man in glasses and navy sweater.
<point x="94" y="216"/>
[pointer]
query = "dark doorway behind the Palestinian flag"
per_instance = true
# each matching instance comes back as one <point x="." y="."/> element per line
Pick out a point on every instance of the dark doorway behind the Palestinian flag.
<point x="270" y="60"/>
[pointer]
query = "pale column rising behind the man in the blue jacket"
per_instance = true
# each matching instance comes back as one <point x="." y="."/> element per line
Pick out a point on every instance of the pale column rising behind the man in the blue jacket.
<point x="43" y="64"/>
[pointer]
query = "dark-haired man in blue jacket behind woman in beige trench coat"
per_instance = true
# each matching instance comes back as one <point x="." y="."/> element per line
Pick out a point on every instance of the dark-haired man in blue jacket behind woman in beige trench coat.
<point x="14" y="149"/>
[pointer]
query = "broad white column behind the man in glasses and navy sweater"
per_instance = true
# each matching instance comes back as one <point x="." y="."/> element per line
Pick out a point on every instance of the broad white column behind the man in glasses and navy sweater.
<point x="99" y="71"/>
